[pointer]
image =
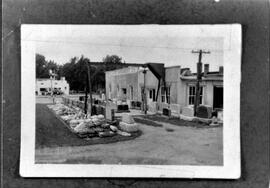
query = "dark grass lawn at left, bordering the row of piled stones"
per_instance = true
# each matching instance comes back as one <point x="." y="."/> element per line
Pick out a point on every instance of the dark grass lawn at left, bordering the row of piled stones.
<point x="51" y="132"/>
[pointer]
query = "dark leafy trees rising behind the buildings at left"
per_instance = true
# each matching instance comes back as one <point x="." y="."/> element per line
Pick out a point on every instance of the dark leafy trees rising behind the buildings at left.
<point x="76" y="71"/>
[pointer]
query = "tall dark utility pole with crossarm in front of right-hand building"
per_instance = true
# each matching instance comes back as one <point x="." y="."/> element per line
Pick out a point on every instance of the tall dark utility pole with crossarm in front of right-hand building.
<point x="199" y="79"/>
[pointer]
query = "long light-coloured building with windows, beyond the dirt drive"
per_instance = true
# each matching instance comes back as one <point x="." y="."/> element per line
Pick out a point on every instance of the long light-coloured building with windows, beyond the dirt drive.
<point x="128" y="83"/>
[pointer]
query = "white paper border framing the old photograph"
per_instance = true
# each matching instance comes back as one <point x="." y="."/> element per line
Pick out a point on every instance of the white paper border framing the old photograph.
<point x="231" y="169"/>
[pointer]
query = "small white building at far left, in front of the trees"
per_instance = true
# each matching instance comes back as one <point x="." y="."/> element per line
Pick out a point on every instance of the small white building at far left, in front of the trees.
<point x="44" y="85"/>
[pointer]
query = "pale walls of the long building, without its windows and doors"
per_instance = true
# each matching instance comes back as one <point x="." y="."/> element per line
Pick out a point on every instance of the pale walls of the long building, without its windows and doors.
<point x="179" y="88"/>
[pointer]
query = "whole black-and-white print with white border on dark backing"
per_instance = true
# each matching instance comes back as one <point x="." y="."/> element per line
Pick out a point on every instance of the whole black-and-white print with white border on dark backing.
<point x="131" y="101"/>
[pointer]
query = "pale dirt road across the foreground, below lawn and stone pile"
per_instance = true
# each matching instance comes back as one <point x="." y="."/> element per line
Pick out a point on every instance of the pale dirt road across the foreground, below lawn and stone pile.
<point x="182" y="146"/>
